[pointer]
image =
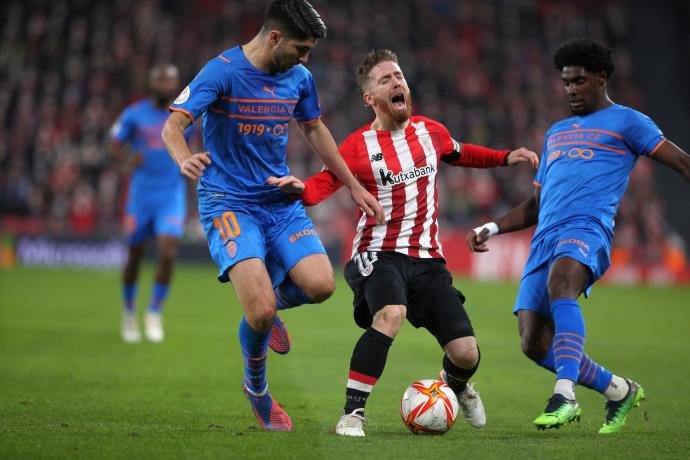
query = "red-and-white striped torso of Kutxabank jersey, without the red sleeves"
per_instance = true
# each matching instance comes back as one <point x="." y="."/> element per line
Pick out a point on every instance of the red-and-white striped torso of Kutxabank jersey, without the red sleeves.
<point x="402" y="167"/>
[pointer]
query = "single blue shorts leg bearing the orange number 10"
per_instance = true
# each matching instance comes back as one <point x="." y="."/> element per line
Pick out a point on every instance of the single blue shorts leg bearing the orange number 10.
<point x="233" y="236"/>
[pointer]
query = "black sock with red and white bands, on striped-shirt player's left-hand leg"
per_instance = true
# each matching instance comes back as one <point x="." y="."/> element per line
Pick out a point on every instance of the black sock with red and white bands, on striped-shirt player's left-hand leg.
<point x="366" y="366"/>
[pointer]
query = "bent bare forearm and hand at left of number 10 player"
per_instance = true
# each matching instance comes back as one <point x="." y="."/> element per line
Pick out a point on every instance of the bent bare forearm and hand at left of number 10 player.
<point x="191" y="165"/>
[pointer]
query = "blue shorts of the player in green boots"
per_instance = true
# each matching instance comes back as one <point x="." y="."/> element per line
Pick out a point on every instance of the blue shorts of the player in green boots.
<point x="579" y="240"/>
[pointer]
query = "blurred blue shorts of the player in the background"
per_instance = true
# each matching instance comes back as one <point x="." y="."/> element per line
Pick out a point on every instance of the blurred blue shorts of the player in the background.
<point x="147" y="218"/>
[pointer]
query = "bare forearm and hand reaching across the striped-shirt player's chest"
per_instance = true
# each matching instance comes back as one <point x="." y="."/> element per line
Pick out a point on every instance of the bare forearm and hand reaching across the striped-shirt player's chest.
<point x="321" y="141"/>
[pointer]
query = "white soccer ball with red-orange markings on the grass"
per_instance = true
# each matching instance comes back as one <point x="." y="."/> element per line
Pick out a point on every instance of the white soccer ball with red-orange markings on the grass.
<point x="429" y="407"/>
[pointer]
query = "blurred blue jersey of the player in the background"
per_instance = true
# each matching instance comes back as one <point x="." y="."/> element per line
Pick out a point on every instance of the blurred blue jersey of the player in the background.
<point x="139" y="126"/>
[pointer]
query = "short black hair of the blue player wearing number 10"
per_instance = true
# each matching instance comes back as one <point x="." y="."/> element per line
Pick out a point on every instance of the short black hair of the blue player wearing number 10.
<point x="294" y="18"/>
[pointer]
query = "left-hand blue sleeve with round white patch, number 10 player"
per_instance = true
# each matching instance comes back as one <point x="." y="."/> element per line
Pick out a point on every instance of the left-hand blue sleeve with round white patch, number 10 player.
<point x="209" y="84"/>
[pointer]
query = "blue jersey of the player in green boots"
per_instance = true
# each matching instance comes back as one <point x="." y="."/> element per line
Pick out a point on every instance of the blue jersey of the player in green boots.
<point x="586" y="163"/>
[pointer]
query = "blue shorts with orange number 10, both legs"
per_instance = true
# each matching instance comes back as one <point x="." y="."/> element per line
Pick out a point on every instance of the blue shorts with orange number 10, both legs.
<point x="279" y="234"/>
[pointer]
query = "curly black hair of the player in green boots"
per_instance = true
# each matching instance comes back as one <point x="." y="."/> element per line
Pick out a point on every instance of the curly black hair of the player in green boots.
<point x="593" y="55"/>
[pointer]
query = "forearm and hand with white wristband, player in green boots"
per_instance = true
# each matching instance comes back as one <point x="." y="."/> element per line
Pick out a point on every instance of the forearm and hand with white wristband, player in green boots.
<point x="521" y="216"/>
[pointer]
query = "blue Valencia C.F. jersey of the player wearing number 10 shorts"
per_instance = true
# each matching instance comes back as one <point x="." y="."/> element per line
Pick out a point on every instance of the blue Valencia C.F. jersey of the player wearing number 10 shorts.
<point x="245" y="114"/>
